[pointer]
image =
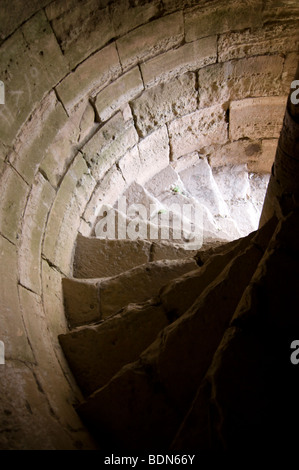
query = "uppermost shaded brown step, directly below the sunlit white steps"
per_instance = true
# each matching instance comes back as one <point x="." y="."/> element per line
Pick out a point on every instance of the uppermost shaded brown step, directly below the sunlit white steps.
<point x="96" y="258"/>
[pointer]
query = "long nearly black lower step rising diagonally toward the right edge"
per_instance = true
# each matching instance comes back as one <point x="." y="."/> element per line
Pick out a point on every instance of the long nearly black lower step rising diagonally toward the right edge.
<point x="144" y="403"/>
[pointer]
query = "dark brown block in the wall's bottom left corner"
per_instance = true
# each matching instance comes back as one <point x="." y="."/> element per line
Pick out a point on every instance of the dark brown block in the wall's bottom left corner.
<point x="29" y="414"/>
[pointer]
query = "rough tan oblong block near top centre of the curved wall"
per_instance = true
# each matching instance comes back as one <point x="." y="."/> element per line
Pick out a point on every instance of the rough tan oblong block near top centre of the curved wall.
<point x="151" y="39"/>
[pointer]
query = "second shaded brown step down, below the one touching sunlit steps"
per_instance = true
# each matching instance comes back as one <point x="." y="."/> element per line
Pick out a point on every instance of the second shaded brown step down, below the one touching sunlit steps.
<point x="93" y="300"/>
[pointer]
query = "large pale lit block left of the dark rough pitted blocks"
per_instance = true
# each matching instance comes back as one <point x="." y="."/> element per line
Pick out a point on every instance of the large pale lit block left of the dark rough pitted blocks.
<point x="109" y="144"/>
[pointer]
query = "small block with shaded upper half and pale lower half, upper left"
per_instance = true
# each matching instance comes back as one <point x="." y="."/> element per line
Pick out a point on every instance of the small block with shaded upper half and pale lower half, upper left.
<point x="120" y="92"/>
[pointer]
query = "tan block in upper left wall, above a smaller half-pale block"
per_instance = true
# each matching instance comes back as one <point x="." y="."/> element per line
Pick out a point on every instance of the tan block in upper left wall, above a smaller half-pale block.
<point x="90" y="77"/>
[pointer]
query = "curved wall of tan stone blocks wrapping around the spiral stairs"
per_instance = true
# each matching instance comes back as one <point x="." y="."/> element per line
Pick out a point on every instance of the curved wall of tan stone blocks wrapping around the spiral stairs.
<point x="97" y="93"/>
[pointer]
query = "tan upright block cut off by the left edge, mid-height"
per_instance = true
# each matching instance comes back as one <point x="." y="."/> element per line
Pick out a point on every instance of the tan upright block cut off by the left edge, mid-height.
<point x="12" y="203"/>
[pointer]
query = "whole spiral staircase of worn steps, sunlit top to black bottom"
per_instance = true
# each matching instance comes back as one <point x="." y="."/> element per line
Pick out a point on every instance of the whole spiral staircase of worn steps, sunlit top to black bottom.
<point x="158" y="330"/>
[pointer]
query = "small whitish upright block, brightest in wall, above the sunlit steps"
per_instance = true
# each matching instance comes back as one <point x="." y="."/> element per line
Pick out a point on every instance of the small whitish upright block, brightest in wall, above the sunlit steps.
<point x="154" y="154"/>
